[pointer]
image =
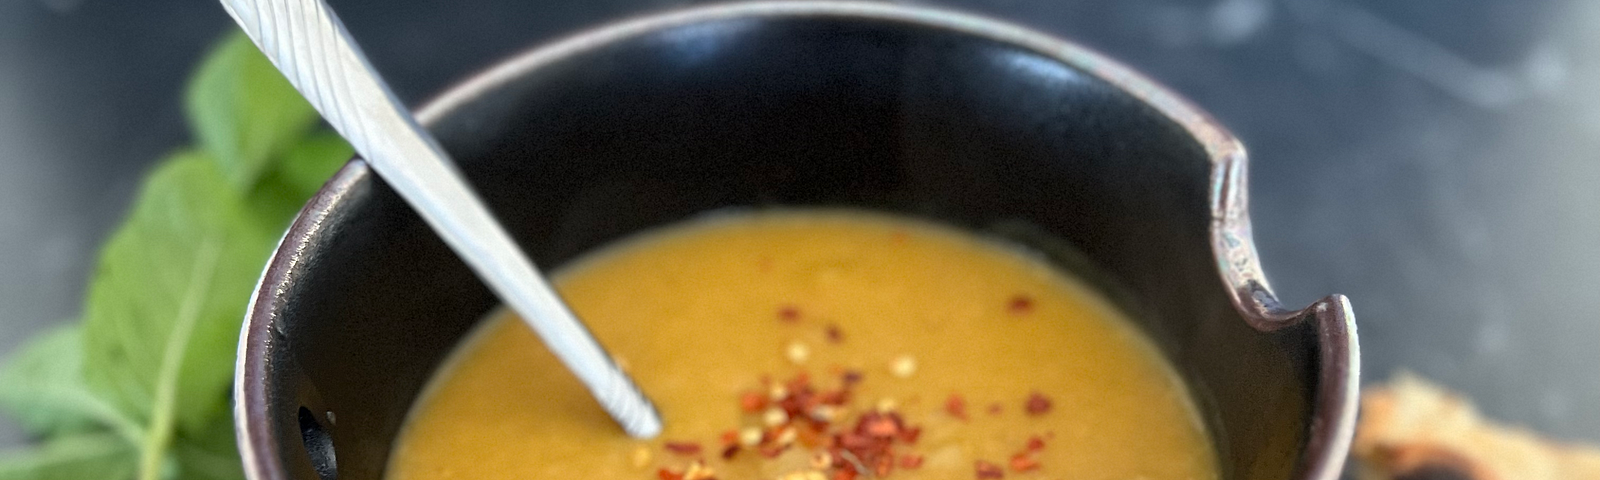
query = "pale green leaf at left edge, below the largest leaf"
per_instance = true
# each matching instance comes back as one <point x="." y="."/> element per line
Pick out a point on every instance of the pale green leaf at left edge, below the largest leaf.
<point x="42" y="386"/>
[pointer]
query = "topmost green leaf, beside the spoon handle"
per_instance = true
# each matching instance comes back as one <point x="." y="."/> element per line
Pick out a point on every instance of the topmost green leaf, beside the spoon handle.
<point x="244" y="111"/>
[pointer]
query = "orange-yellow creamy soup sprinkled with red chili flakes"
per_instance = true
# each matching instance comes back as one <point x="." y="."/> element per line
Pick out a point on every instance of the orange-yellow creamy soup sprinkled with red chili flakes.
<point x="818" y="345"/>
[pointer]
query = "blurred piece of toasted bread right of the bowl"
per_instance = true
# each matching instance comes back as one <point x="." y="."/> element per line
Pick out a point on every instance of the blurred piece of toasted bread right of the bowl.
<point x="1415" y="431"/>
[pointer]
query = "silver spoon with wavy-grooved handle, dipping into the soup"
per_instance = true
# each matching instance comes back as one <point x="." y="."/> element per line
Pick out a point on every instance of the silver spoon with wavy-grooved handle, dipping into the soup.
<point x="314" y="50"/>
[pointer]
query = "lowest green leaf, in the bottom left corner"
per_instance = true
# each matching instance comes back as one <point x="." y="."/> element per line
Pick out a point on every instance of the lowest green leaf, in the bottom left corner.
<point x="79" y="457"/>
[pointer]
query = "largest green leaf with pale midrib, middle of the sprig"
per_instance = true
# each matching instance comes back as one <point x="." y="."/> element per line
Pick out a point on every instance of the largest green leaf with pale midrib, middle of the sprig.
<point x="169" y="295"/>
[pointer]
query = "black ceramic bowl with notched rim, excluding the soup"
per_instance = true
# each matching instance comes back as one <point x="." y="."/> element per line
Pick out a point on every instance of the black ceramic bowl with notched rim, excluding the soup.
<point x="924" y="113"/>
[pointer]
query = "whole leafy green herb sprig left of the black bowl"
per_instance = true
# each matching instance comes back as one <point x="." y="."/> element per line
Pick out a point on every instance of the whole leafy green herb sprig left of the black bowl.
<point x="140" y="390"/>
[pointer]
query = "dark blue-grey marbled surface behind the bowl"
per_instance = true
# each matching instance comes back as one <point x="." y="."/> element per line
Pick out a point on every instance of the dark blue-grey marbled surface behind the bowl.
<point x="1433" y="159"/>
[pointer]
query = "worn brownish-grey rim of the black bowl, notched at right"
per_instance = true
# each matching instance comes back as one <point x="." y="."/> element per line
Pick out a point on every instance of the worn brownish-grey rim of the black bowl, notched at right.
<point x="1335" y="399"/>
